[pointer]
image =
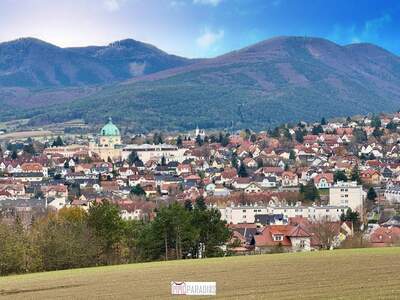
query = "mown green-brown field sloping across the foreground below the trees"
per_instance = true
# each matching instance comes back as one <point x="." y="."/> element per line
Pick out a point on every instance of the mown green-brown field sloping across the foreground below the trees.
<point x="339" y="274"/>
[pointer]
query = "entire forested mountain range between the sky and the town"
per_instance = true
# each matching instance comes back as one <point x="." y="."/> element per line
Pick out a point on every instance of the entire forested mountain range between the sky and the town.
<point x="284" y="79"/>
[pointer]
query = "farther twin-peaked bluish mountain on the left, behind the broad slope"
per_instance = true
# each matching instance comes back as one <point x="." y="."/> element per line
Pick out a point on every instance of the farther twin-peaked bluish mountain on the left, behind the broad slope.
<point x="32" y="63"/>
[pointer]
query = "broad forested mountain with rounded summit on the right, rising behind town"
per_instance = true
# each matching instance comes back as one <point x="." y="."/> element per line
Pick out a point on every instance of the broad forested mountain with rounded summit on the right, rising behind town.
<point x="284" y="79"/>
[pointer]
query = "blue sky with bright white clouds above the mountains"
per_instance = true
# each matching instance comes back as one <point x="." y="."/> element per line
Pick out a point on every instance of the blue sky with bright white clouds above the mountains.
<point x="200" y="28"/>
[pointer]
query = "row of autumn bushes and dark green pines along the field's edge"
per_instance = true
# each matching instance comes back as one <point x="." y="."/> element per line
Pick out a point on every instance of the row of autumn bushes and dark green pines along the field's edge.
<point x="74" y="238"/>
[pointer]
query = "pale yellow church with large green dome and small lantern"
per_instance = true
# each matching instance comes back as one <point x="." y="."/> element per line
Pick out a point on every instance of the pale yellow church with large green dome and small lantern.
<point x="108" y="145"/>
